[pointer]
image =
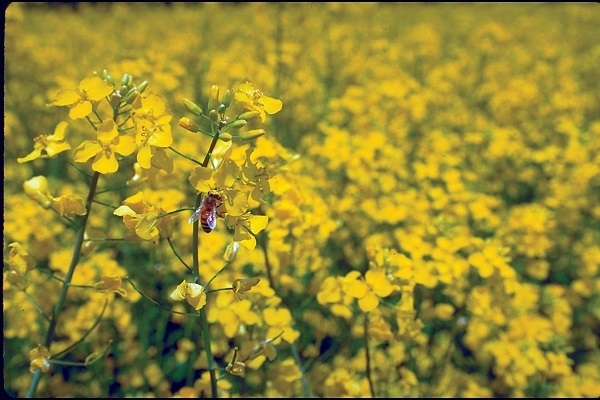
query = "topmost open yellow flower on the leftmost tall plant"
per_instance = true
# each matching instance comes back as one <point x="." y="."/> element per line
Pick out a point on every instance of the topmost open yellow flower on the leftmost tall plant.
<point x="92" y="89"/>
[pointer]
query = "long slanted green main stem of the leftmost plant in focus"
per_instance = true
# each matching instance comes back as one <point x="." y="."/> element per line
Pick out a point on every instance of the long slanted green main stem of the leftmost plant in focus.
<point x="68" y="277"/>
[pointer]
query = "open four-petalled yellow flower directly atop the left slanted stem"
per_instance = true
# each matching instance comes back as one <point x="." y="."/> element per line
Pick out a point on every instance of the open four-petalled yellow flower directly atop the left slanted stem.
<point x="103" y="150"/>
